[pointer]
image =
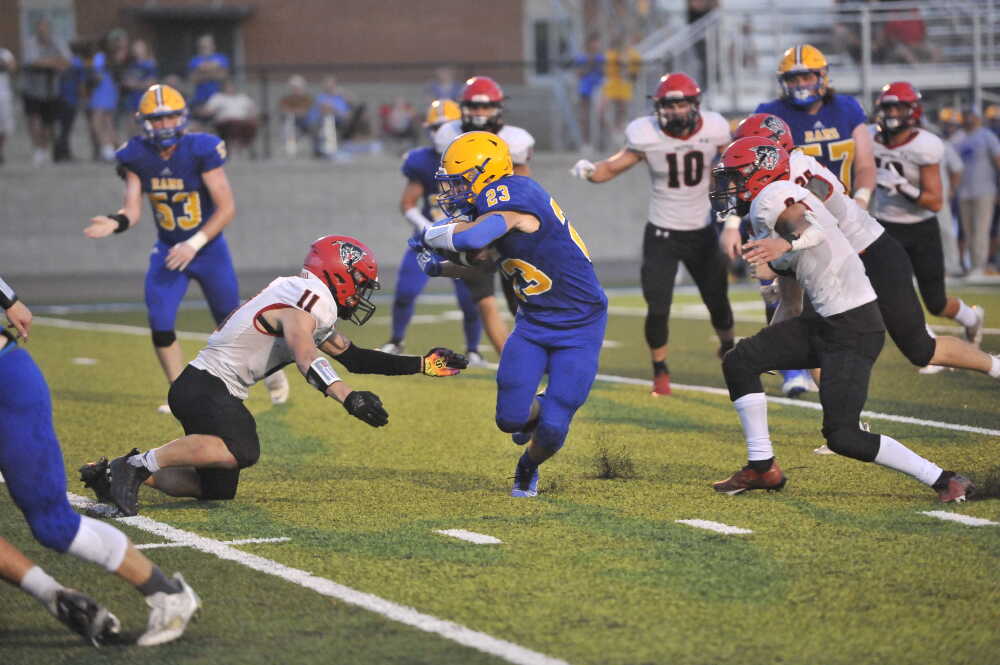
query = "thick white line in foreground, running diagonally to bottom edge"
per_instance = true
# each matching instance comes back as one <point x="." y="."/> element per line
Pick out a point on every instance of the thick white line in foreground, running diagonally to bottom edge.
<point x="474" y="639"/>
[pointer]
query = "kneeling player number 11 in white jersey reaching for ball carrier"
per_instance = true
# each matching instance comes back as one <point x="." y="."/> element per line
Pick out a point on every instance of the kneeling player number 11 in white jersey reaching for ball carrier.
<point x="286" y="322"/>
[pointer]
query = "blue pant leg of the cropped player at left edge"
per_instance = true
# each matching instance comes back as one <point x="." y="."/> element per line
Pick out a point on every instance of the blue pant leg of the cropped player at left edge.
<point x="30" y="458"/>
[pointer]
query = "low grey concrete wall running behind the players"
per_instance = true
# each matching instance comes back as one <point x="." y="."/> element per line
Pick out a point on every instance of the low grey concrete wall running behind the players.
<point x="282" y="207"/>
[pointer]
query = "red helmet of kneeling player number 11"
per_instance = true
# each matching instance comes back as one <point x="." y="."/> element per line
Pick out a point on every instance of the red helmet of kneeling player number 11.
<point x="349" y="269"/>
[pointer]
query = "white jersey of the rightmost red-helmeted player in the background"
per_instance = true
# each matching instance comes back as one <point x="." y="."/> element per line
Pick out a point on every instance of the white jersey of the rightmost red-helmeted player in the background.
<point x="922" y="149"/>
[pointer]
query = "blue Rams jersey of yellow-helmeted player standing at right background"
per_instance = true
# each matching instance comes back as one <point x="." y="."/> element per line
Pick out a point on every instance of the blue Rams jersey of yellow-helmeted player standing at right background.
<point x="826" y="135"/>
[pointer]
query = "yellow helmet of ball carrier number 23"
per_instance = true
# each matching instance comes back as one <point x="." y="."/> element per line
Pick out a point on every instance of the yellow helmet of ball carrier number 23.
<point x="470" y="162"/>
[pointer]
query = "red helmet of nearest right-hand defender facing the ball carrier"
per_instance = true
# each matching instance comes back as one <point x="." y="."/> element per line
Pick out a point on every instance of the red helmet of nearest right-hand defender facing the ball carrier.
<point x="747" y="166"/>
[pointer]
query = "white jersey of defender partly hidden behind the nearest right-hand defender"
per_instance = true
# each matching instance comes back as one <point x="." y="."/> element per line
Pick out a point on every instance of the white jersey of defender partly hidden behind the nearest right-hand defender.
<point x="860" y="228"/>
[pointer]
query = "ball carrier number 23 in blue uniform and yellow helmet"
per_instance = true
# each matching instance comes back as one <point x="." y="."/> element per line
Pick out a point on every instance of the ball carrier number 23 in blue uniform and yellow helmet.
<point x="562" y="310"/>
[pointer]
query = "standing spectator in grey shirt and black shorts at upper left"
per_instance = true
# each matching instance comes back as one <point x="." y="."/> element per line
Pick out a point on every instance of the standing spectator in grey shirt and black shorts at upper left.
<point x="45" y="56"/>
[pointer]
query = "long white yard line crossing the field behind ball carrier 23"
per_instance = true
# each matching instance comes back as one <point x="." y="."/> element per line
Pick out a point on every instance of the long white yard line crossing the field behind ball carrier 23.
<point x="610" y="378"/>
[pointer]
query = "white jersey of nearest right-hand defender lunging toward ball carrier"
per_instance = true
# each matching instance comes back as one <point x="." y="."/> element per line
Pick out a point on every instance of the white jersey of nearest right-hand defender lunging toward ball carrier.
<point x="830" y="273"/>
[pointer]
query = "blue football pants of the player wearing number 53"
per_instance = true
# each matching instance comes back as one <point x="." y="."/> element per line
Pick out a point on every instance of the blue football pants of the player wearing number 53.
<point x="212" y="268"/>
